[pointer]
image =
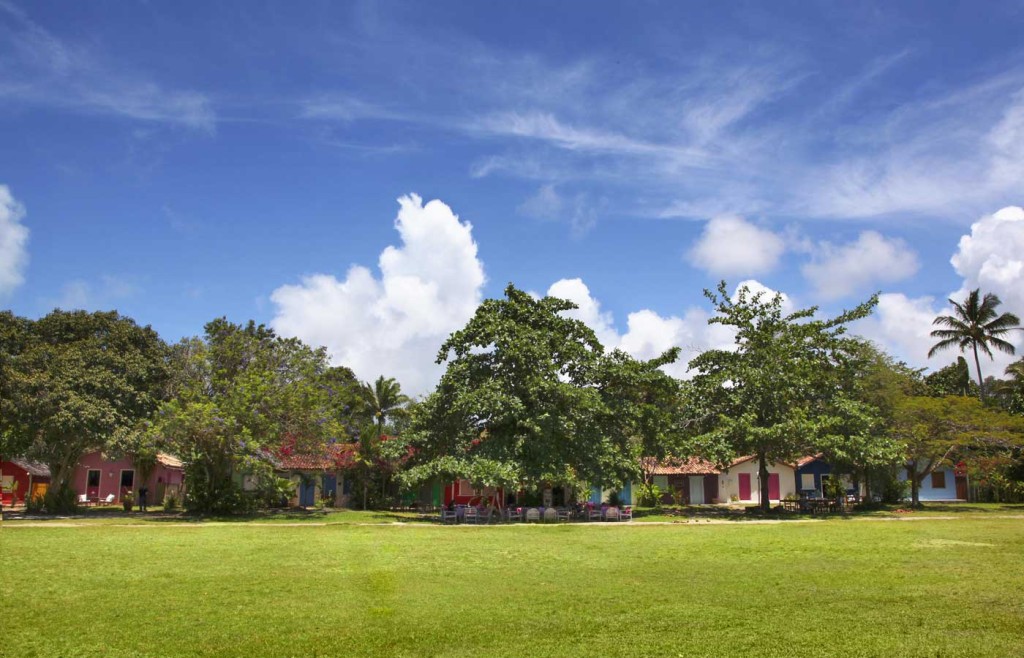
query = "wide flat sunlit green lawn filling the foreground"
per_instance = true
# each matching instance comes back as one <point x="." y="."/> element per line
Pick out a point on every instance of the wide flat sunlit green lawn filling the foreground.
<point x="932" y="587"/>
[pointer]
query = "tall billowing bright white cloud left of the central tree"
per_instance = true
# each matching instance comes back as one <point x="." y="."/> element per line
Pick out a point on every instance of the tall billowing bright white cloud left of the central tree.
<point x="429" y="287"/>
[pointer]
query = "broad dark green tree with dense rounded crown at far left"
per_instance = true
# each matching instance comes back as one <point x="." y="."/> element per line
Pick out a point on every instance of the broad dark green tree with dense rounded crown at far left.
<point x="75" y="380"/>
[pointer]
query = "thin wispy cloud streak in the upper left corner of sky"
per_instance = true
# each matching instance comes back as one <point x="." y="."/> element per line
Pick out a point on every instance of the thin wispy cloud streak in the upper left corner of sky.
<point x="41" y="70"/>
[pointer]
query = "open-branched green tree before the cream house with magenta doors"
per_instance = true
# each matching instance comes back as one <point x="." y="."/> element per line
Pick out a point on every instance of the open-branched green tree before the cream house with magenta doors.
<point x="775" y="396"/>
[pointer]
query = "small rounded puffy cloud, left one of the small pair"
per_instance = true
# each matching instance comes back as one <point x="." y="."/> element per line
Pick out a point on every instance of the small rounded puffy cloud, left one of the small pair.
<point x="733" y="246"/>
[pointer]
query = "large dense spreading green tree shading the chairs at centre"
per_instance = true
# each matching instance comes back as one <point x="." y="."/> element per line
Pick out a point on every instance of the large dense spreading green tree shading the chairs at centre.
<point x="526" y="401"/>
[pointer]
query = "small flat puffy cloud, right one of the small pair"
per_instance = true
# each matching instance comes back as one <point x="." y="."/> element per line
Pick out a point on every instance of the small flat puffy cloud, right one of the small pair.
<point x="840" y="271"/>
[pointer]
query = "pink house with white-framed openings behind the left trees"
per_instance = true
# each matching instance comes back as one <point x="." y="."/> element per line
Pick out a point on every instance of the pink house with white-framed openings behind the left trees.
<point x="98" y="477"/>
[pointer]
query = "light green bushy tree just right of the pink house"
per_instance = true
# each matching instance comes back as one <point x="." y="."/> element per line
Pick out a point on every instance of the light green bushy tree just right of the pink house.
<point x="241" y="394"/>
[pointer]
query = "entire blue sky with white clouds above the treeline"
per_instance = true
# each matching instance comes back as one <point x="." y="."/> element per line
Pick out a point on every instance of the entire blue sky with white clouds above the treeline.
<point x="185" y="161"/>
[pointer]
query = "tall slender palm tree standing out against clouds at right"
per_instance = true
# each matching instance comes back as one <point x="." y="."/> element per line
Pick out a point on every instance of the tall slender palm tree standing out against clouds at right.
<point x="975" y="325"/>
